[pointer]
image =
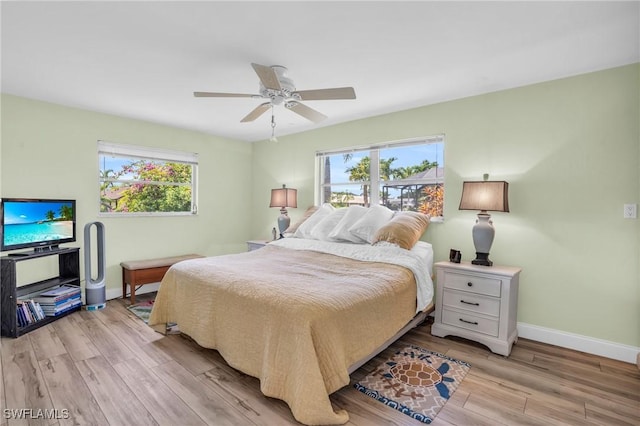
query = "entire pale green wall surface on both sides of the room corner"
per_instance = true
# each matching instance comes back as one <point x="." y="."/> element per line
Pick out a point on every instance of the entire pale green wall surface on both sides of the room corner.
<point x="569" y="148"/>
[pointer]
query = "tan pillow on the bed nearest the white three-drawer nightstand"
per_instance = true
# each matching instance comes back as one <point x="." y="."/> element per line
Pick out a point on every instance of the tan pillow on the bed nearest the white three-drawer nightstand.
<point x="404" y="229"/>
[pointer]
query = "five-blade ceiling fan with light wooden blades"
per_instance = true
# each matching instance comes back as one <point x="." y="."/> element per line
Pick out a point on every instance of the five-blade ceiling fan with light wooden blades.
<point x="279" y="89"/>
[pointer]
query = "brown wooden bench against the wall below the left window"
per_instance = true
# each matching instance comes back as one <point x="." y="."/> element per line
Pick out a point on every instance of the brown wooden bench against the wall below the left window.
<point x="140" y="272"/>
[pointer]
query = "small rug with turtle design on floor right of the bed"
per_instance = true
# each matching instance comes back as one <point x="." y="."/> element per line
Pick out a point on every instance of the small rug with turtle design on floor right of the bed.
<point x="415" y="381"/>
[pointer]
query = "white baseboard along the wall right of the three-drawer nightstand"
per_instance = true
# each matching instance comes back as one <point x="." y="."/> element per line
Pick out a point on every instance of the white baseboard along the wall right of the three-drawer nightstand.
<point x="580" y="343"/>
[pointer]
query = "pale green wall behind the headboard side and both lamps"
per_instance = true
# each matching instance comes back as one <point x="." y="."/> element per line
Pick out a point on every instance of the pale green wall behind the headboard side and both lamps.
<point x="570" y="150"/>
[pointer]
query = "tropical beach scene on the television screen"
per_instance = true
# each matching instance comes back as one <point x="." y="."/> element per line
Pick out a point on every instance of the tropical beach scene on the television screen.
<point x="31" y="222"/>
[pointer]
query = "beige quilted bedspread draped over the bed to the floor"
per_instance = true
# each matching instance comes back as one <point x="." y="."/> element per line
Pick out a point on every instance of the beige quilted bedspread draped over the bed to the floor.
<point x="295" y="319"/>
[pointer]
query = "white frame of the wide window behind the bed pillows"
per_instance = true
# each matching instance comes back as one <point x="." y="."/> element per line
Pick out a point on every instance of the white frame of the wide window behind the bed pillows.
<point x="374" y="172"/>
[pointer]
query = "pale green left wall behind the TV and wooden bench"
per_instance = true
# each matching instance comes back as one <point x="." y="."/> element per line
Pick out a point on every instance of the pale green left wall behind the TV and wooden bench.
<point x="50" y="151"/>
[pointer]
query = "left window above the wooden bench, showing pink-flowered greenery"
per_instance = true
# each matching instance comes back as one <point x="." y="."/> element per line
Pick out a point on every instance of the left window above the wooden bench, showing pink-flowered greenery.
<point x="146" y="181"/>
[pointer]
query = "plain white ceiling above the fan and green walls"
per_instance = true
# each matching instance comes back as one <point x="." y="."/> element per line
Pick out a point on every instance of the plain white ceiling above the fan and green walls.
<point x="144" y="60"/>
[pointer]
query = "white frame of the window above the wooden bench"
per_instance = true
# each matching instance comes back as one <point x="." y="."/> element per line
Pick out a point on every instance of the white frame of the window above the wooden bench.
<point x="154" y="154"/>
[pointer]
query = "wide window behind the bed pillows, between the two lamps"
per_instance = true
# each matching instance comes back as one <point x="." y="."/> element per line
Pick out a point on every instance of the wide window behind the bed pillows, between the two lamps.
<point x="406" y="175"/>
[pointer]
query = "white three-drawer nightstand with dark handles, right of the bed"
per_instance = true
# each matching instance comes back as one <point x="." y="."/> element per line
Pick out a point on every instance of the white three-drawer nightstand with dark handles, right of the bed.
<point x="479" y="303"/>
